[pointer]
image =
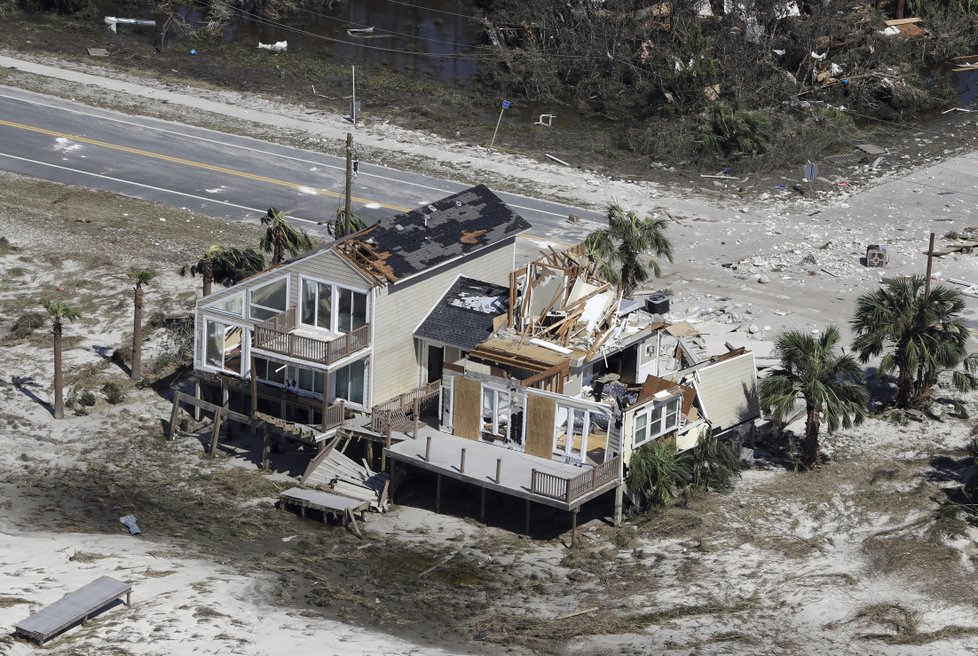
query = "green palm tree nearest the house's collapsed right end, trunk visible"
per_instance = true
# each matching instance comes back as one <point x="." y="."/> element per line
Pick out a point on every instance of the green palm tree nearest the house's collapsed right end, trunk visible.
<point x="827" y="379"/>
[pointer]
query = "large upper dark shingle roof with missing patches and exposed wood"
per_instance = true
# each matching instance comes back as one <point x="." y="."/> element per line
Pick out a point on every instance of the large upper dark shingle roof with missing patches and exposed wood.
<point x="410" y="243"/>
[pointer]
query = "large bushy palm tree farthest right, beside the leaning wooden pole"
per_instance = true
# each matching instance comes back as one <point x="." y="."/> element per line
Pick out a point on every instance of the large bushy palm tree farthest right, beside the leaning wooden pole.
<point x="920" y="335"/>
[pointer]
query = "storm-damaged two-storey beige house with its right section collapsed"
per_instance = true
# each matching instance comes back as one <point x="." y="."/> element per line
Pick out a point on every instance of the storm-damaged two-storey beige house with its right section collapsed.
<point x="417" y="336"/>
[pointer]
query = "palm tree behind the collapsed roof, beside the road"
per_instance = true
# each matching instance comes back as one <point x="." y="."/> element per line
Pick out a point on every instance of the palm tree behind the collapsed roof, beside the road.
<point x="617" y="249"/>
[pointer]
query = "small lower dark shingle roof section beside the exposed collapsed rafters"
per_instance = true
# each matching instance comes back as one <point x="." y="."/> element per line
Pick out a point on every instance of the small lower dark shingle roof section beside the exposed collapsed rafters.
<point x="463" y="317"/>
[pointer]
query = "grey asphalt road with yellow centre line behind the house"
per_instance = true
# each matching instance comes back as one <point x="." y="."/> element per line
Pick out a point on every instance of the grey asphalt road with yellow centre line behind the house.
<point x="215" y="173"/>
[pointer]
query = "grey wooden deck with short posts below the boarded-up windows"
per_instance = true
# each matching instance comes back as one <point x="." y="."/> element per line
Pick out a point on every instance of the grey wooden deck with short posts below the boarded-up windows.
<point x="507" y="471"/>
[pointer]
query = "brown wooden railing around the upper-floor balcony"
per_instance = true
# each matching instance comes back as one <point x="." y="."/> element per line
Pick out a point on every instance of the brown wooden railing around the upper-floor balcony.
<point x="276" y="335"/>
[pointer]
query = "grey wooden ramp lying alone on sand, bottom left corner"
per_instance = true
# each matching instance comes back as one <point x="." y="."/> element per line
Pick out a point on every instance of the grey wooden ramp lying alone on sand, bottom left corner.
<point x="74" y="607"/>
